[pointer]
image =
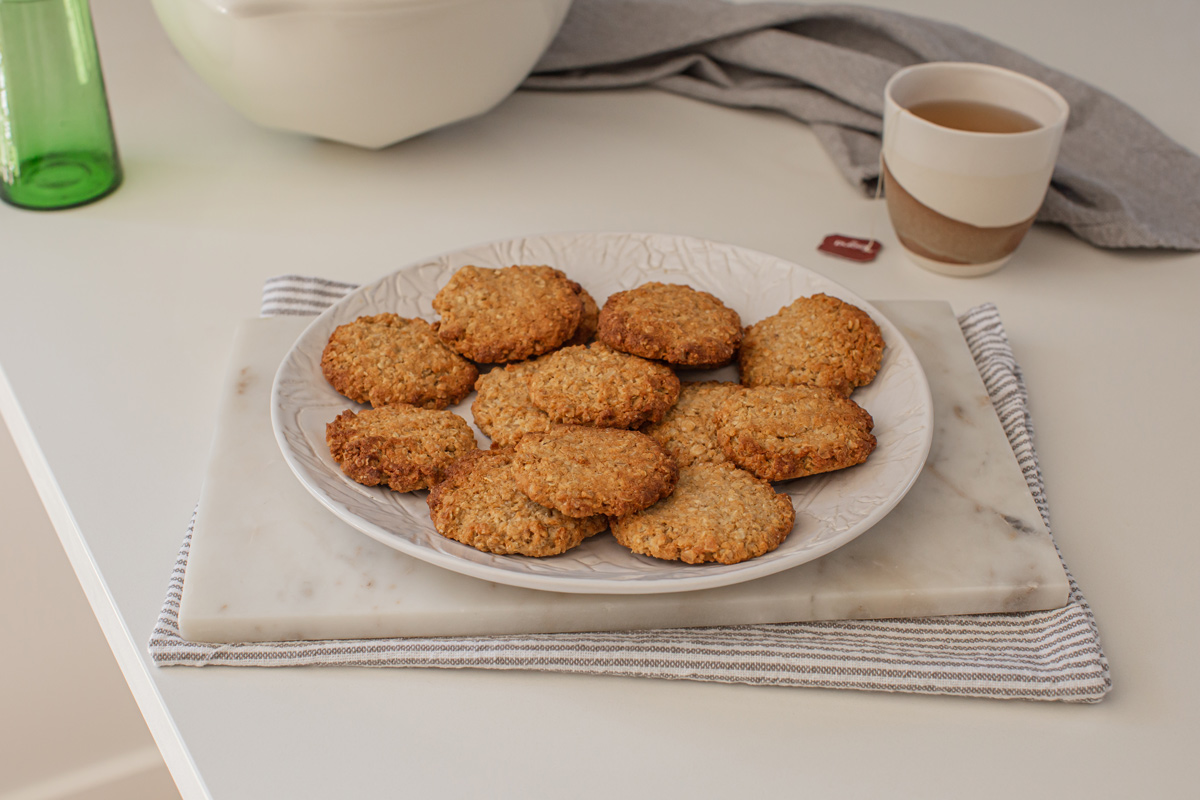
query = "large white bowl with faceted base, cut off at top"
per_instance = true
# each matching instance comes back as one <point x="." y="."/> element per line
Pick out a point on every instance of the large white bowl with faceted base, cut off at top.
<point x="365" y="73"/>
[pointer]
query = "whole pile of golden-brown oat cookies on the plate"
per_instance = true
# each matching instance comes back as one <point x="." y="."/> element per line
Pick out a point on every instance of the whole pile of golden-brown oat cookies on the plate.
<point x="601" y="435"/>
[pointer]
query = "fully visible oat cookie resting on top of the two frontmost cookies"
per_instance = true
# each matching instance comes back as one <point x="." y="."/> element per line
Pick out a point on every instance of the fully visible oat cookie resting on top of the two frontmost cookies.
<point x="584" y="471"/>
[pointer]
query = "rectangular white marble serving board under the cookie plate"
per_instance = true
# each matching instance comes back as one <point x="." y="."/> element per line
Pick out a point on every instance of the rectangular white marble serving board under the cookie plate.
<point x="269" y="563"/>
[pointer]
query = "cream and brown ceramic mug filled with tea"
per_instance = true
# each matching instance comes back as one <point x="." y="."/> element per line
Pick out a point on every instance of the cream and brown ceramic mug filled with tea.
<point x="962" y="200"/>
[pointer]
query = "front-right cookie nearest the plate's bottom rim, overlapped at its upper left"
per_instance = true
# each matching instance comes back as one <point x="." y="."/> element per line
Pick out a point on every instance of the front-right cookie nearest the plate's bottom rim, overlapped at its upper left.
<point x="717" y="513"/>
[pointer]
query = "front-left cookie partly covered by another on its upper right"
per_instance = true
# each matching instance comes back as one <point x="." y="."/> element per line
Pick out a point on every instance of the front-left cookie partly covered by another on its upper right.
<point x="481" y="506"/>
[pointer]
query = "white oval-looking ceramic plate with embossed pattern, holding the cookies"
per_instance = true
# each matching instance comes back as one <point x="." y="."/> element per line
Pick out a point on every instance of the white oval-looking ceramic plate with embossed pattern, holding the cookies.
<point x="831" y="510"/>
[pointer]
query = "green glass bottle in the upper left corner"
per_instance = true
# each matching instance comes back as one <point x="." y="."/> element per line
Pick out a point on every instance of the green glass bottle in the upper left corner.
<point x="57" y="143"/>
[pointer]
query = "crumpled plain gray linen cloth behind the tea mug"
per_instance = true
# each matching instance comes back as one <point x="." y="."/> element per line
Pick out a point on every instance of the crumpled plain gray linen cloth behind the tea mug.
<point x="1120" y="182"/>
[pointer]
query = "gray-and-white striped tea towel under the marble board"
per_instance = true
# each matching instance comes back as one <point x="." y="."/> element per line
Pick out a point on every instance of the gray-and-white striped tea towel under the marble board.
<point x="1053" y="655"/>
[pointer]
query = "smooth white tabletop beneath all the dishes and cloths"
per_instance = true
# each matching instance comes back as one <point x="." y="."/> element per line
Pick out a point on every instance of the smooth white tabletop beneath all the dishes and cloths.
<point x="117" y="323"/>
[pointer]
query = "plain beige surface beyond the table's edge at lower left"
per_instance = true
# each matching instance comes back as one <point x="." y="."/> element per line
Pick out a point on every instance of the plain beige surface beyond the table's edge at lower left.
<point x="69" y="726"/>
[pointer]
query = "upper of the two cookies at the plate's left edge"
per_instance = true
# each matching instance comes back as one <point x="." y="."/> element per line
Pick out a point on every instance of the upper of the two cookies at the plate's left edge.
<point x="391" y="359"/>
